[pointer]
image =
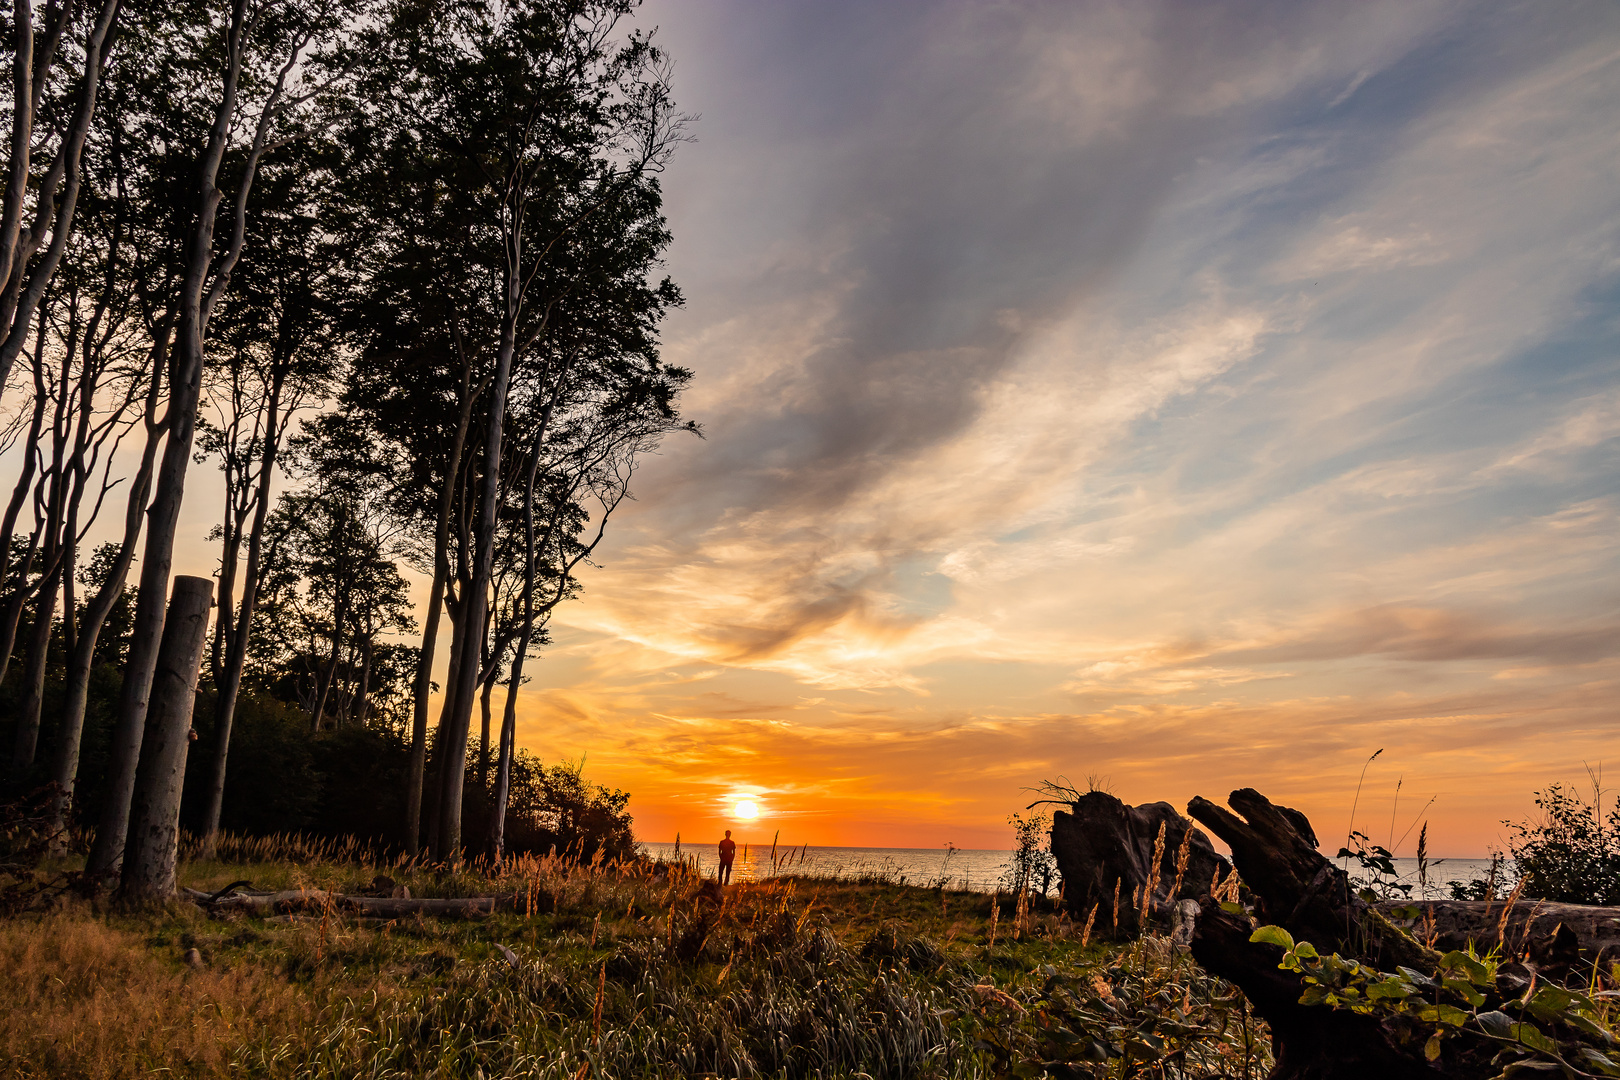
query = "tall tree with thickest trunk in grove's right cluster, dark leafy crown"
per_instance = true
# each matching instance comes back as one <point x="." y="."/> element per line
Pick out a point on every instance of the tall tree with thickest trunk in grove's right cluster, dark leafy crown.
<point x="532" y="134"/>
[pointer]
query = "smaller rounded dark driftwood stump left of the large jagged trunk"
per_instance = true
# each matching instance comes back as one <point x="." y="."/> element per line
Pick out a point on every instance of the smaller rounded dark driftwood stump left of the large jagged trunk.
<point x="1106" y="854"/>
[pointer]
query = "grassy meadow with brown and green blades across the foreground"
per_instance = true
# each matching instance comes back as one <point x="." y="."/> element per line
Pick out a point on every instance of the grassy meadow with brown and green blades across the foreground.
<point x="625" y="972"/>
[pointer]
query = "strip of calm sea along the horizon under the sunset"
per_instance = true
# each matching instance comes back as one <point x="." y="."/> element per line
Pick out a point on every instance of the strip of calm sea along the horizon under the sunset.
<point x="986" y="870"/>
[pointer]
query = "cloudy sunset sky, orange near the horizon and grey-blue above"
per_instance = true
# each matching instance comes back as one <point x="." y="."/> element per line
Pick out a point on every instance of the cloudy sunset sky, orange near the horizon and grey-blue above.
<point x="1164" y="398"/>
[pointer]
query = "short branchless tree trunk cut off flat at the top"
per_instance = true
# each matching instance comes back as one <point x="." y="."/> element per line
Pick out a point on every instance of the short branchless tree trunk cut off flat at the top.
<point x="155" y="825"/>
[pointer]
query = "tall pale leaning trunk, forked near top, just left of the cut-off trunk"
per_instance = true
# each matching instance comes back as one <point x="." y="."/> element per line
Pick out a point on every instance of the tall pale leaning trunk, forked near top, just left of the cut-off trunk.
<point x="197" y="302"/>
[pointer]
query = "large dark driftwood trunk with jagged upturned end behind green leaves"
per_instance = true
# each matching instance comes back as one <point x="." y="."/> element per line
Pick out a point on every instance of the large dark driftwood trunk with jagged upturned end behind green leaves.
<point x="1294" y="887"/>
